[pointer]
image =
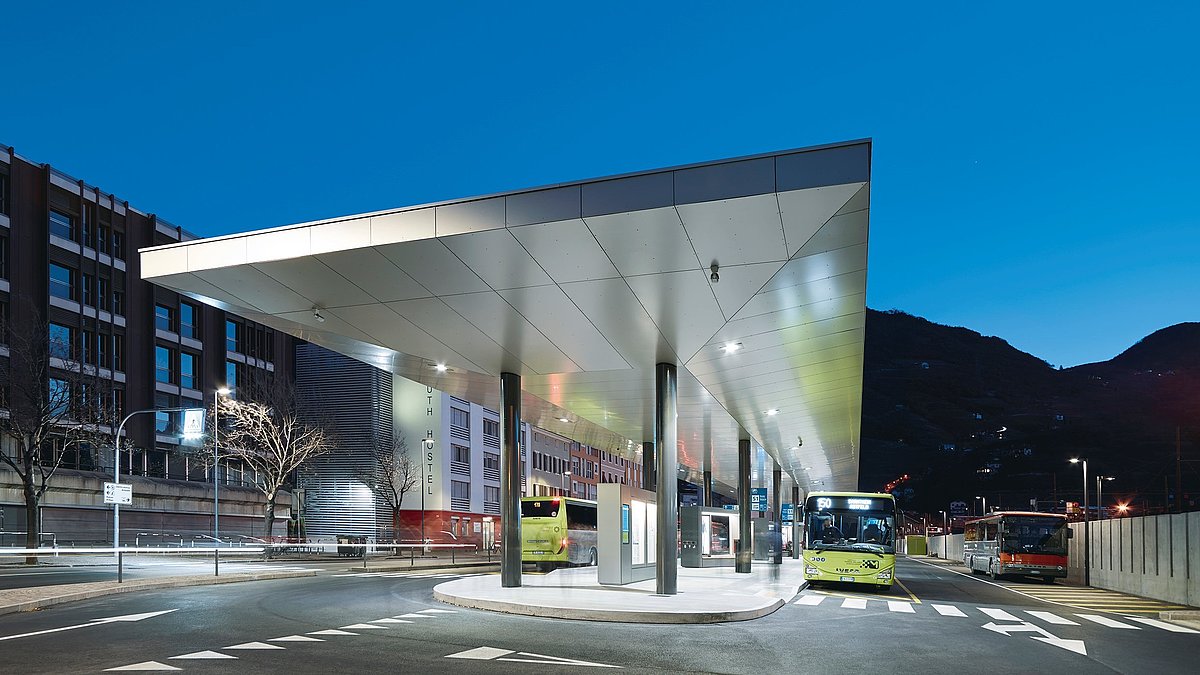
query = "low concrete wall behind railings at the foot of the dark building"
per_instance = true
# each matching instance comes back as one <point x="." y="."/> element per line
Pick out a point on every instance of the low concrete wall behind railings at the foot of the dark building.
<point x="74" y="510"/>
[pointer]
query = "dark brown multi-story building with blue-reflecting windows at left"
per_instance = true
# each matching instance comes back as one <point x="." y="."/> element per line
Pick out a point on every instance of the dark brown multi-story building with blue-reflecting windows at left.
<point x="69" y="266"/>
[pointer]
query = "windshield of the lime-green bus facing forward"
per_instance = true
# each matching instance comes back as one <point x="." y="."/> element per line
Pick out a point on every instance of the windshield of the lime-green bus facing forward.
<point x="850" y="524"/>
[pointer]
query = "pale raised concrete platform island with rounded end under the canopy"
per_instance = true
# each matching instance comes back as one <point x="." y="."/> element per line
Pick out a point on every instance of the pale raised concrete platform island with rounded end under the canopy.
<point x="706" y="596"/>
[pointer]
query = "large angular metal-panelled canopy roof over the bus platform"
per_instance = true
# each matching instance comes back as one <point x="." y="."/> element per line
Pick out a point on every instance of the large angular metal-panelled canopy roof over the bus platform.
<point x="581" y="289"/>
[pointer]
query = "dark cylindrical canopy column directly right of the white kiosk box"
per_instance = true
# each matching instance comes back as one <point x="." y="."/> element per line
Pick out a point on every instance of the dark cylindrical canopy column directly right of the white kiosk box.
<point x="667" y="568"/>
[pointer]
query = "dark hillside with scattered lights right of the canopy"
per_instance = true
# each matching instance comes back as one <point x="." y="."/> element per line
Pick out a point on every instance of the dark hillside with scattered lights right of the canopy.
<point x="967" y="416"/>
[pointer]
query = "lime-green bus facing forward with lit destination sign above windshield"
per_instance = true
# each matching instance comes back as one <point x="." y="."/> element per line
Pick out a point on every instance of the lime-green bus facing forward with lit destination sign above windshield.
<point x="850" y="537"/>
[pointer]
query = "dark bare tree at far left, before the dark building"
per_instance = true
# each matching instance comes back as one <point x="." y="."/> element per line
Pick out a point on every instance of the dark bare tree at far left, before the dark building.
<point x="49" y="396"/>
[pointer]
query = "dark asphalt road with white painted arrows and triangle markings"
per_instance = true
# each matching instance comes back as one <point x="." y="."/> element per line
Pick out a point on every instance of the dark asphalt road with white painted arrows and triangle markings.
<point x="938" y="622"/>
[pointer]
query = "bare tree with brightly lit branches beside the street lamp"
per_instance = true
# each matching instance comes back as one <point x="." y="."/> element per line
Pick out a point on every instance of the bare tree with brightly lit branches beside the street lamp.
<point x="272" y="438"/>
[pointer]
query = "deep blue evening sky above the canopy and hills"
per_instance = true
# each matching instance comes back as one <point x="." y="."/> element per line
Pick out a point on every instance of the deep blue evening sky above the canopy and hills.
<point x="1035" y="172"/>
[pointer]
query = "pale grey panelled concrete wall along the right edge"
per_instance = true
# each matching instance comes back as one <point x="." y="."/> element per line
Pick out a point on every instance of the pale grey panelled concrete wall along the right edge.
<point x="1156" y="557"/>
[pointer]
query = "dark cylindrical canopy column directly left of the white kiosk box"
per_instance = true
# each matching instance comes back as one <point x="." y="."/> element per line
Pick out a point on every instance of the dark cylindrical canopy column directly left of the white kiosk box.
<point x="511" y="480"/>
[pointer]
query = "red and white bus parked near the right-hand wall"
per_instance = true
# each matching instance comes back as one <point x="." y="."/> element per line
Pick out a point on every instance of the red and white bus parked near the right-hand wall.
<point x="1018" y="543"/>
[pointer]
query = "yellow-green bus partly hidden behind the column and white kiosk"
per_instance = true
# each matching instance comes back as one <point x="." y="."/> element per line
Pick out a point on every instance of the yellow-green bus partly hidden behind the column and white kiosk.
<point x="559" y="531"/>
